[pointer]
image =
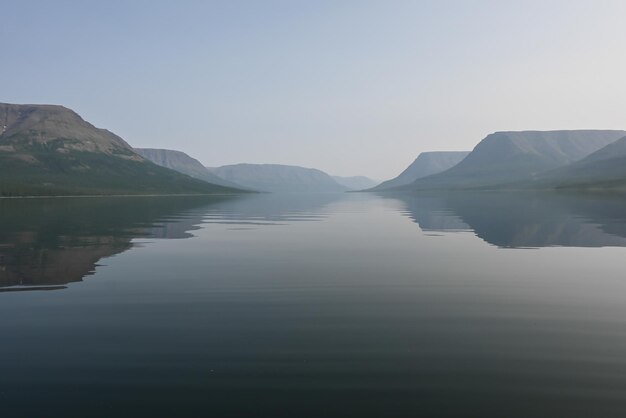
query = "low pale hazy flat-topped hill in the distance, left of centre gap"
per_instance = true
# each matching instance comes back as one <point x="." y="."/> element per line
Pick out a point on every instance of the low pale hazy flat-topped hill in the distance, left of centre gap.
<point x="279" y="178"/>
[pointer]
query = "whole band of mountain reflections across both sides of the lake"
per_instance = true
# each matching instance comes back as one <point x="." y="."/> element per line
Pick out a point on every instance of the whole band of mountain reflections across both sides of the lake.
<point x="47" y="243"/>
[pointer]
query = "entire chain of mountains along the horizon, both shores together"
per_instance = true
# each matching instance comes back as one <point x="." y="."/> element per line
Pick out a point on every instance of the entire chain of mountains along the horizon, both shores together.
<point x="51" y="150"/>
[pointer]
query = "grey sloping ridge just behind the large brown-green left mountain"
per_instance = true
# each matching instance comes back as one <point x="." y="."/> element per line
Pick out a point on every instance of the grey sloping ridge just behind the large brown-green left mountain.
<point x="183" y="163"/>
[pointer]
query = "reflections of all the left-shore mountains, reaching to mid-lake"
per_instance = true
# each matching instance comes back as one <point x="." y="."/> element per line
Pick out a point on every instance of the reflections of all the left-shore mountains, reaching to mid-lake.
<point x="46" y="243"/>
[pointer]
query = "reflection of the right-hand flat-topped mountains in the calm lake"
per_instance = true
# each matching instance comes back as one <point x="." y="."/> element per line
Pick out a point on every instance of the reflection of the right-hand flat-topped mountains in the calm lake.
<point x="524" y="219"/>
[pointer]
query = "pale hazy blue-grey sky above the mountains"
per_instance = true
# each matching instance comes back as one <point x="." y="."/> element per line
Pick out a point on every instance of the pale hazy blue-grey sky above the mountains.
<point x="350" y="87"/>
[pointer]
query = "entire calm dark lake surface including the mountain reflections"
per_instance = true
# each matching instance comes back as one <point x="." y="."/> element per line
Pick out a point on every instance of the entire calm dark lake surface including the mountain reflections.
<point x="347" y="305"/>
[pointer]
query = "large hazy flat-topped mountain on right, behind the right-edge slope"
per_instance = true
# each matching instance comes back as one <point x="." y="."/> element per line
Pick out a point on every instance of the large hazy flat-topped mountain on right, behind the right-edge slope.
<point x="505" y="158"/>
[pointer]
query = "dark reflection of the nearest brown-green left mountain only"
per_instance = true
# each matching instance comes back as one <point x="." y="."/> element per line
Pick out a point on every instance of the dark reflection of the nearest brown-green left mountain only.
<point x="56" y="241"/>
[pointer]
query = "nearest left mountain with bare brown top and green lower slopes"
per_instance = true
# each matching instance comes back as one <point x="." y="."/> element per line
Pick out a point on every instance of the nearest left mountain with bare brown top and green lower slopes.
<point x="51" y="150"/>
